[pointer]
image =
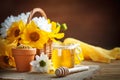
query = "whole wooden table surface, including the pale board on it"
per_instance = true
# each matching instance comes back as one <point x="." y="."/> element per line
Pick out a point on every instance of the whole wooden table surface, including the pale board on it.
<point x="97" y="71"/>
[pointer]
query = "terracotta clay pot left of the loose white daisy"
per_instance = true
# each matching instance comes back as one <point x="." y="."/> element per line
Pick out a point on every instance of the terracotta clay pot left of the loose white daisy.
<point x="23" y="57"/>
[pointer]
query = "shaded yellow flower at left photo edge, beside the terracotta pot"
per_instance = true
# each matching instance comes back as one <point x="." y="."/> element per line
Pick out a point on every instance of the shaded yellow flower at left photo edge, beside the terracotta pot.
<point x="5" y="52"/>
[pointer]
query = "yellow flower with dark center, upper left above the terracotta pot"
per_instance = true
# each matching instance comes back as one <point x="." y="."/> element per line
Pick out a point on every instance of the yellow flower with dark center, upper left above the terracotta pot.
<point x="15" y="30"/>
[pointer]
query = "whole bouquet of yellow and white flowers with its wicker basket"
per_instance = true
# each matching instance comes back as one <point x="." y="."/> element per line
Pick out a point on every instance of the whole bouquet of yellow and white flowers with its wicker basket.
<point x="37" y="32"/>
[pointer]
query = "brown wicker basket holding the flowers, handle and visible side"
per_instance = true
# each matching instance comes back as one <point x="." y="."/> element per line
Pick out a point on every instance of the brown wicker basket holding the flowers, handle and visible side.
<point x="47" y="47"/>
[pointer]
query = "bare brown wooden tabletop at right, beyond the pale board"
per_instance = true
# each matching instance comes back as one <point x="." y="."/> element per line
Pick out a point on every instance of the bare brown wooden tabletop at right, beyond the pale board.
<point x="109" y="71"/>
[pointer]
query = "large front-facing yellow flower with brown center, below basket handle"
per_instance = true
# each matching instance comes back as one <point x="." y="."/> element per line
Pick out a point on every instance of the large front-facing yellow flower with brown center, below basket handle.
<point x="33" y="36"/>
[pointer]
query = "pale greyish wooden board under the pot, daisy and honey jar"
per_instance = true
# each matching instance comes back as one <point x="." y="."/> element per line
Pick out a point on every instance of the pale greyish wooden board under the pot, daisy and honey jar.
<point x="12" y="74"/>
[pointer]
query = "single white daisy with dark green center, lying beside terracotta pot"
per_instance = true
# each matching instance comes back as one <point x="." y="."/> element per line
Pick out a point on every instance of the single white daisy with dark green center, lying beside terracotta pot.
<point x="41" y="64"/>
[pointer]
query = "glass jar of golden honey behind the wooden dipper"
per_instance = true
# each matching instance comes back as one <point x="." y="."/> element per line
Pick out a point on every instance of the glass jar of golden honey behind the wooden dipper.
<point x="63" y="55"/>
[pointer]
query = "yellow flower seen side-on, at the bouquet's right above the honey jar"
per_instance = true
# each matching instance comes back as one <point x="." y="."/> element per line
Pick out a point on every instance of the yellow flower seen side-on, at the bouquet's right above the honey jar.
<point x="55" y="32"/>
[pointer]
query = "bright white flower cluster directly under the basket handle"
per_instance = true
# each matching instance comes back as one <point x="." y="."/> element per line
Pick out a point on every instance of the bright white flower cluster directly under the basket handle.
<point x="42" y="23"/>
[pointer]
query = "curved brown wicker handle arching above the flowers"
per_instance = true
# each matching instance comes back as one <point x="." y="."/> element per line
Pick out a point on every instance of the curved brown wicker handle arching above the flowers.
<point x="41" y="11"/>
